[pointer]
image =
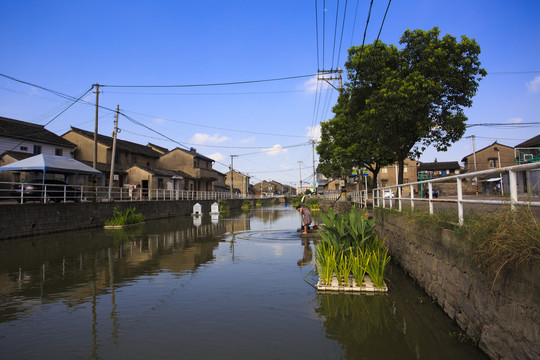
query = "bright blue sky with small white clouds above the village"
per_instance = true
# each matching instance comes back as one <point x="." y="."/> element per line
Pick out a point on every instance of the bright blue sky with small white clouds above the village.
<point x="67" y="46"/>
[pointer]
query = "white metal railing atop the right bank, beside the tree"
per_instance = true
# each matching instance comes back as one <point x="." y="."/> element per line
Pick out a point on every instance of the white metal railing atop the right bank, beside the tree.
<point x="513" y="201"/>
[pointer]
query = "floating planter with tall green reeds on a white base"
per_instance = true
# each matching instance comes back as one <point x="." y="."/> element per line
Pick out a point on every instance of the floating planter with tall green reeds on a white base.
<point x="349" y="256"/>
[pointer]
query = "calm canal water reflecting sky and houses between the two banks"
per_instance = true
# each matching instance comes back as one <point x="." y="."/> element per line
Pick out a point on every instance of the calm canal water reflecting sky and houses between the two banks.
<point x="237" y="287"/>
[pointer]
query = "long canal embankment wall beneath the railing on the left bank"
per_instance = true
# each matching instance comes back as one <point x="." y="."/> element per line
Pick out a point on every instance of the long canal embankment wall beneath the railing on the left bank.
<point x="34" y="218"/>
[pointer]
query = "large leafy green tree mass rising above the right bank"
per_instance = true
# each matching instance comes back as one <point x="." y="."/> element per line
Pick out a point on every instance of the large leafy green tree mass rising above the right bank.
<point x="397" y="102"/>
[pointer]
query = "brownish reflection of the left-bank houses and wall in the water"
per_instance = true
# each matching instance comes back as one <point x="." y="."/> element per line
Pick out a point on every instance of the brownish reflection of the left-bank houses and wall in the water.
<point x="76" y="269"/>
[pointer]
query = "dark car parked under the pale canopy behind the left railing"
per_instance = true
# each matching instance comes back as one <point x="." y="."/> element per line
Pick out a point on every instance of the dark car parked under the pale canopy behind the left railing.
<point x="50" y="190"/>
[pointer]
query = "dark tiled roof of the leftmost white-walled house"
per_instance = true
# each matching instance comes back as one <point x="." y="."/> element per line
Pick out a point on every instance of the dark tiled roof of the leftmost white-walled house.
<point x="16" y="129"/>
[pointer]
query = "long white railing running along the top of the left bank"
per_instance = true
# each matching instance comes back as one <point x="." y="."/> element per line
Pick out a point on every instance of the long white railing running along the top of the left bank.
<point x="61" y="193"/>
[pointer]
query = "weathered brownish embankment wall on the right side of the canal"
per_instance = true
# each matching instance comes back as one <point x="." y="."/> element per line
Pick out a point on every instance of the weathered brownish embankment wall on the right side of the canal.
<point x="504" y="318"/>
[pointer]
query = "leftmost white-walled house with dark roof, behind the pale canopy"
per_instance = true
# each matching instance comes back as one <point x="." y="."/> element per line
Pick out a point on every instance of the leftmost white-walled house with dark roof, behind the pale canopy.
<point x="20" y="140"/>
